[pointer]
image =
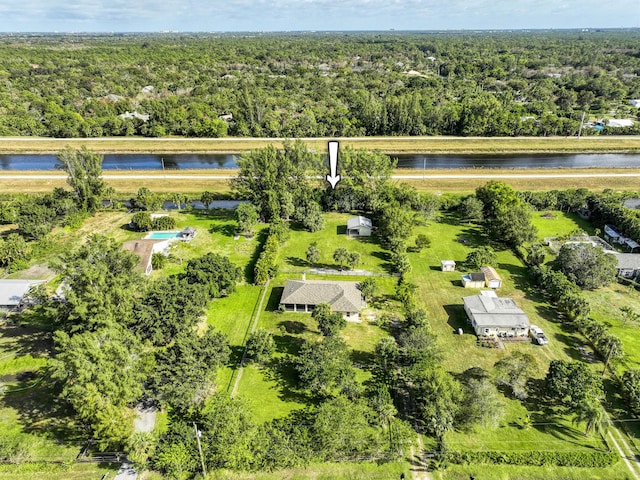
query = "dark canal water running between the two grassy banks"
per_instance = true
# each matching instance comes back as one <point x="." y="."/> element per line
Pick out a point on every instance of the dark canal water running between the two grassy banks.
<point x="410" y="161"/>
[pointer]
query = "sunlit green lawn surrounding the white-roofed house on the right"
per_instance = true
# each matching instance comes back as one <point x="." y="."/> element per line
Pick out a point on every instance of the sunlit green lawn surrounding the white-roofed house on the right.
<point x="441" y="293"/>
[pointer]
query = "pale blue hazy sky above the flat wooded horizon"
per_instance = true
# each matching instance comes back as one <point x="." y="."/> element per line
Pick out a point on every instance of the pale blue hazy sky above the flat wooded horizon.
<point x="298" y="15"/>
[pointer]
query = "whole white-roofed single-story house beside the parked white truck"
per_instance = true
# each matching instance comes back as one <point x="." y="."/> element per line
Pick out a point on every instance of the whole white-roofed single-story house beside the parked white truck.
<point x="495" y="316"/>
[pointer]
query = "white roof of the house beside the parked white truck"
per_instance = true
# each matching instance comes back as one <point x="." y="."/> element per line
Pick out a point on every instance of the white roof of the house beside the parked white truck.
<point x="490" y="311"/>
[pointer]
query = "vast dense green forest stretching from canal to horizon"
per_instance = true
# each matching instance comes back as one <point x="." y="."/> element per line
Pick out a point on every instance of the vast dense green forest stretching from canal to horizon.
<point x="316" y="85"/>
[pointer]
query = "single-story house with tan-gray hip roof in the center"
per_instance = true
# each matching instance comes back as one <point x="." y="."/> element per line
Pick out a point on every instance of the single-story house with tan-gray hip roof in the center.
<point x="304" y="295"/>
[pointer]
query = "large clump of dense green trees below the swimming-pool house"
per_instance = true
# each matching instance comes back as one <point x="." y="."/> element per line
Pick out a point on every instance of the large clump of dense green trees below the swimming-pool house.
<point x="118" y="337"/>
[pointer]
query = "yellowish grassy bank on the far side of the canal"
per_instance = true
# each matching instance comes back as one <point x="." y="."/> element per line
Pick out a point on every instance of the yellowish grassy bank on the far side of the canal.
<point x="432" y="145"/>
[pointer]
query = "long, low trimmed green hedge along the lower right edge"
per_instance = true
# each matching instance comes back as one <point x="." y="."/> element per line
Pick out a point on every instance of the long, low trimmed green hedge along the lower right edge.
<point x="589" y="459"/>
